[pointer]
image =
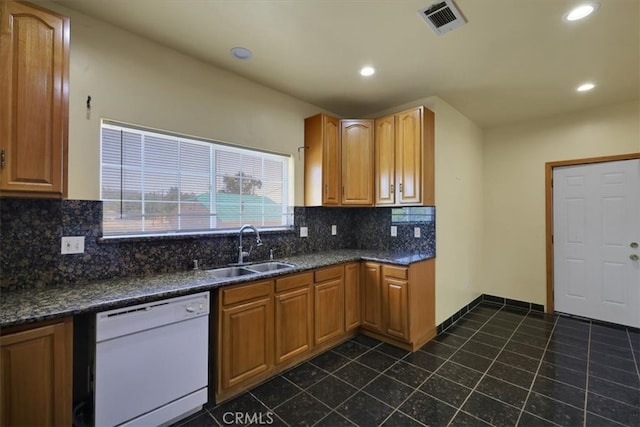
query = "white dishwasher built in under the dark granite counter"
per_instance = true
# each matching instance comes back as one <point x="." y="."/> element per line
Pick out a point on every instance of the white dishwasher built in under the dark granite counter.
<point x="151" y="363"/>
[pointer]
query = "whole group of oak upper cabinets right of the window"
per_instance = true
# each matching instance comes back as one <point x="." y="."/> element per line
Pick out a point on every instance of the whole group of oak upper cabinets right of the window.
<point x="388" y="161"/>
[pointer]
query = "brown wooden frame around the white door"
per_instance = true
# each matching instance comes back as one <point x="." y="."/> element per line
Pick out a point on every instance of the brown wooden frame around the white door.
<point x="549" y="166"/>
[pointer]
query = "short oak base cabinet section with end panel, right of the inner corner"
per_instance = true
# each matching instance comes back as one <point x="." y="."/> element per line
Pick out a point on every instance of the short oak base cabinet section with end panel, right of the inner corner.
<point x="399" y="303"/>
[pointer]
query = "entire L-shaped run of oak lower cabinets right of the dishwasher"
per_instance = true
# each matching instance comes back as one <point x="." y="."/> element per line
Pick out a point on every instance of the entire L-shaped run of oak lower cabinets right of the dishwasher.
<point x="265" y="327"/>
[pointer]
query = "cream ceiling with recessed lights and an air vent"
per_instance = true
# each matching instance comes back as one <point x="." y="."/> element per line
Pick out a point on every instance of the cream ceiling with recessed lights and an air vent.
<point x="514" y="60"/>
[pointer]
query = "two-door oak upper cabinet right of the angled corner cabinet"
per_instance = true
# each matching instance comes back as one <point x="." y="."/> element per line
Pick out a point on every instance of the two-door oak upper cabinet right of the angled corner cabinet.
<point x="404" y="158"/>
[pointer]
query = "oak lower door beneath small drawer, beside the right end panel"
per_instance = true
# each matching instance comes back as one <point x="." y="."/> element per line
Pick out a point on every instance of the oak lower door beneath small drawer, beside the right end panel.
<point x="395" y="301"/>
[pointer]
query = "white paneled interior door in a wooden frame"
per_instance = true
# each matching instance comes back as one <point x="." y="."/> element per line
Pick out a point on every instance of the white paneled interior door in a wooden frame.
<point x="596" y="232"/>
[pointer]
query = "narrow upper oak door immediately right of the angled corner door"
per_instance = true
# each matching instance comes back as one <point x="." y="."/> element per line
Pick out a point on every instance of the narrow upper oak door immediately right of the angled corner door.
<point x="385" y="170"/>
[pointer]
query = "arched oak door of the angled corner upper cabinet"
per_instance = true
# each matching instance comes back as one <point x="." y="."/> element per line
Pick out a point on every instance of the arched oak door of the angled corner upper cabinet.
<point x="357" y="162"/>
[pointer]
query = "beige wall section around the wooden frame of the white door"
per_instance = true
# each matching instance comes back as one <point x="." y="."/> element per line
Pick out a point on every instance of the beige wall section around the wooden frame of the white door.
<point x="514" y="194"/>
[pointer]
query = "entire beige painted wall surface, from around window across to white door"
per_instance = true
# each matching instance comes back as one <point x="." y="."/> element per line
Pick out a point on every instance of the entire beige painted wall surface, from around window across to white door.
<point x="489" y="185"/>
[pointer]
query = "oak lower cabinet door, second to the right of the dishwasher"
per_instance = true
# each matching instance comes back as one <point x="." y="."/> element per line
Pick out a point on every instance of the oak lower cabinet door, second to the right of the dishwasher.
<point x="293" y="323"/>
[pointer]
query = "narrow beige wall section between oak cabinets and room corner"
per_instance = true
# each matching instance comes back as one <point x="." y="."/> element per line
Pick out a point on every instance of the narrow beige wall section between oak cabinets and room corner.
<point x="459" y="183"/>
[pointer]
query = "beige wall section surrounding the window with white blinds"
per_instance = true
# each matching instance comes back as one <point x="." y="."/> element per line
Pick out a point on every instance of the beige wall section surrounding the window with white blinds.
<point x="134" y="80"/>
